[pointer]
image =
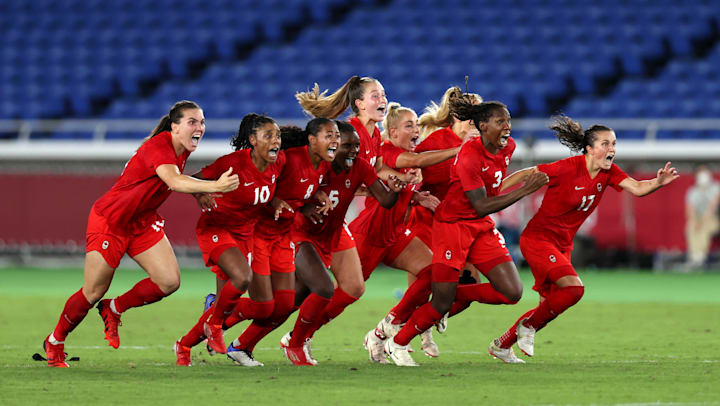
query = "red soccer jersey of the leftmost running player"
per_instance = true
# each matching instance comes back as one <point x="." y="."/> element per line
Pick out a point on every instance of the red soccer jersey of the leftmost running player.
<point x="131" y="204"/>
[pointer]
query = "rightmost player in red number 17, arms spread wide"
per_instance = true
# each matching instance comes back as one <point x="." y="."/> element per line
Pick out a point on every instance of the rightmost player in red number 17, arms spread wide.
<point x="576" y="186"/>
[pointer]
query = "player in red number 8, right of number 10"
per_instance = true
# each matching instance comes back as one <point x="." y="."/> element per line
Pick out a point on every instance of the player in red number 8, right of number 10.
<point x="308" y="155"/>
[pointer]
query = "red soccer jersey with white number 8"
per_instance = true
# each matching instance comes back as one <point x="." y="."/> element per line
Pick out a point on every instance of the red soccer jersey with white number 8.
<point x="297" y="184"/>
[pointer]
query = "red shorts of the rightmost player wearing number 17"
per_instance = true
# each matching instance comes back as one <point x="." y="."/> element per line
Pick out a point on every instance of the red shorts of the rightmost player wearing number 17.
<point x="547" y="263"/>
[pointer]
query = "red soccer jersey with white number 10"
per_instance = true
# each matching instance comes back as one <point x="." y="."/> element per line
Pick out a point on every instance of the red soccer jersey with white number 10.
<point x="239" y="210"/>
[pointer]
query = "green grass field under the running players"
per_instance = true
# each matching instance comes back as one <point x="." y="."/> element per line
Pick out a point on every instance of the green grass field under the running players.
<point x="634" y="339"/>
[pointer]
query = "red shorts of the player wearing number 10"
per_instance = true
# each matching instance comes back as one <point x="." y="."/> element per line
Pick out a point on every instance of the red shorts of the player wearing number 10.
<point x="213" y="241"/>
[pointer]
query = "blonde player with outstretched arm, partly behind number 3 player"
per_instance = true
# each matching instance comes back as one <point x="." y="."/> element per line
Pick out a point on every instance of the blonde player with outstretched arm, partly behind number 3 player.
<point x="382" y="235"/>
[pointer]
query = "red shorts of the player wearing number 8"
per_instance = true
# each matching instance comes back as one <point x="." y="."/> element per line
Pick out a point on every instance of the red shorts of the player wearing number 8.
<point x="276" y="254"/>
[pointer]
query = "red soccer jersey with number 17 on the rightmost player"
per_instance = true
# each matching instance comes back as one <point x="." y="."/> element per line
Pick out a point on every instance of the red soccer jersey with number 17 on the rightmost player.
<point x="570" y="198"/>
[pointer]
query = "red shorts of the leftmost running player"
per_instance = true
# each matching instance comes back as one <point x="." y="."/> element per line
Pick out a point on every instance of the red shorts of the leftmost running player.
<point x="113" y="246"/>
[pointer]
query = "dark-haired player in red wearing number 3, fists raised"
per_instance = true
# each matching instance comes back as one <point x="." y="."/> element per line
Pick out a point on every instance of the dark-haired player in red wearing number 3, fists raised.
<point x="462" y="230"/>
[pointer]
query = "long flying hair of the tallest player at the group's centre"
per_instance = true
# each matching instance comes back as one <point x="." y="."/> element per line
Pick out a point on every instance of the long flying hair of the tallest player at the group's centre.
<point x="317" y="104"/>
